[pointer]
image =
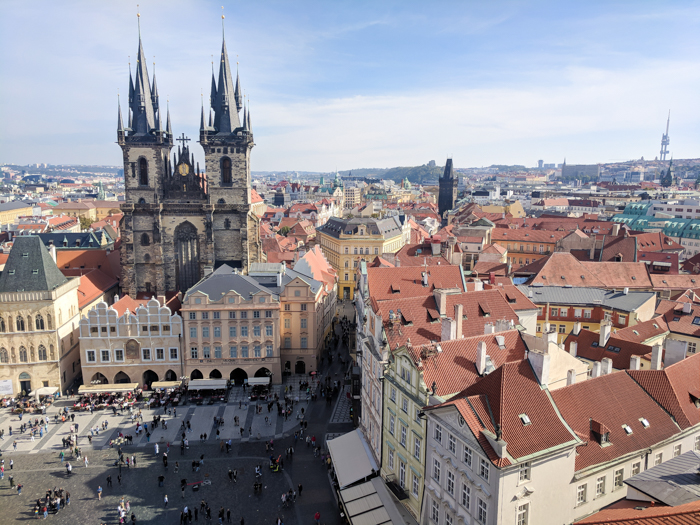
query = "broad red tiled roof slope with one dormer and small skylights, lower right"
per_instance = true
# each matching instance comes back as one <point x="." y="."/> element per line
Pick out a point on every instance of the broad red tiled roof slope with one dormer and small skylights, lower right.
<point x="612" y="400"/>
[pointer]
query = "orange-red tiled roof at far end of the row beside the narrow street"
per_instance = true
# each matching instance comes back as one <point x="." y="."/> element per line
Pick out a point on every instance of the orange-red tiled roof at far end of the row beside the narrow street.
<point x="407" y="281"/>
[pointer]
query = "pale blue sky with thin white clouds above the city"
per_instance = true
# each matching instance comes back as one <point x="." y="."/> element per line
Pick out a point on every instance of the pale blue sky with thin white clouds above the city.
<point x="363" y="84"/>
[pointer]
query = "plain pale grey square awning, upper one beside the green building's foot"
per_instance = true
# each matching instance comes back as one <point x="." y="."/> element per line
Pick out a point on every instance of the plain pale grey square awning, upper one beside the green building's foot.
<point x="351" y="458"/>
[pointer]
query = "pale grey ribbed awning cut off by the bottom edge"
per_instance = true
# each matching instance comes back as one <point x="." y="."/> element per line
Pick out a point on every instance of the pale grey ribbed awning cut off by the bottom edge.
<point x="371" y="503"/>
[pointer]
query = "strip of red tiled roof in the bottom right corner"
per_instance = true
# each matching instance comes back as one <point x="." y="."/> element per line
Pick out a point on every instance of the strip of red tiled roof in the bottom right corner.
<point x="686" y="514"/>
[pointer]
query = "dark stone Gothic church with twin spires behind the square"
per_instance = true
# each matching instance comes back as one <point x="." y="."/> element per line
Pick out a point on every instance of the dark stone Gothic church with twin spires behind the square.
<point x="180" y="221"/>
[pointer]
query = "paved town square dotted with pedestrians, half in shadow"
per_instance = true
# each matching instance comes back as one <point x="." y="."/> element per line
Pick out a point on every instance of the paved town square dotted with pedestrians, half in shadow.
<point x="38" y="467"/>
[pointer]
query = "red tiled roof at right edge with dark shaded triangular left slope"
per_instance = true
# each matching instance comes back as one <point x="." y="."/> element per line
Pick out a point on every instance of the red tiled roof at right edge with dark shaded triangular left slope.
<point x="673" y="387"/>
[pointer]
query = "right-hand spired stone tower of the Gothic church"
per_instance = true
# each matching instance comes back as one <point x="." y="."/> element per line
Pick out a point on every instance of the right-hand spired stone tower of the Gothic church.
<point x="227" y="146"/>
